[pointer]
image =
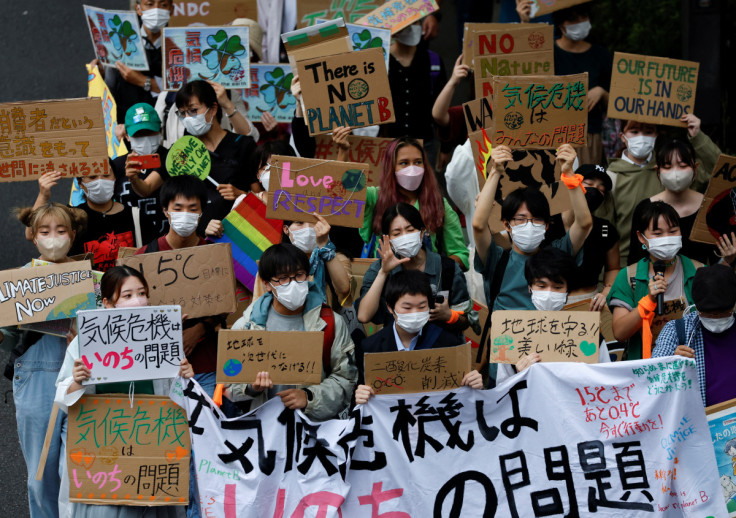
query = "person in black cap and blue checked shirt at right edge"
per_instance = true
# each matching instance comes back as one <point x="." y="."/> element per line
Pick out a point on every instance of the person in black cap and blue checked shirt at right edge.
<point x="707" y="334"/>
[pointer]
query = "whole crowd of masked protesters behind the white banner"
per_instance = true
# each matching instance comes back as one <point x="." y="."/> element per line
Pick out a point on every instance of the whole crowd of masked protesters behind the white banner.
<point x="623" y="245"/>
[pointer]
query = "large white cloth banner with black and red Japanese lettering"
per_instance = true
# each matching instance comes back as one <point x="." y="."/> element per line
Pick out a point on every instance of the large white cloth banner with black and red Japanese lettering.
<point x="561" y="439"/>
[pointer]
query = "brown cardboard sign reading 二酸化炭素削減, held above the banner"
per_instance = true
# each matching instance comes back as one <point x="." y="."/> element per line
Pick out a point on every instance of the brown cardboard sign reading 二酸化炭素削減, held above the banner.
<point x="425" y="370"/>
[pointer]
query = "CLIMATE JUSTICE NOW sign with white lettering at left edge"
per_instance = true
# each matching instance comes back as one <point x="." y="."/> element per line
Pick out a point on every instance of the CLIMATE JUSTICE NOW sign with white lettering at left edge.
<point x="54" y="292"/>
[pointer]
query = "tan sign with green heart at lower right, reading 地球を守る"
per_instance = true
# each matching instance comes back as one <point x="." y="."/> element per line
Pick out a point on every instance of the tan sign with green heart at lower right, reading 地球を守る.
<point x="557" y="336"/>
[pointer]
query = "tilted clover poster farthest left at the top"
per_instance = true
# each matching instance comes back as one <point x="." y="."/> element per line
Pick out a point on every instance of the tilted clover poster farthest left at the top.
<point x="116" y="36"/>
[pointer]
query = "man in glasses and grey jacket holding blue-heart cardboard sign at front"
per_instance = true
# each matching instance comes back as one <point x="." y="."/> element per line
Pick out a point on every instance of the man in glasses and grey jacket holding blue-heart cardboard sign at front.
<point x="293" y="303"/>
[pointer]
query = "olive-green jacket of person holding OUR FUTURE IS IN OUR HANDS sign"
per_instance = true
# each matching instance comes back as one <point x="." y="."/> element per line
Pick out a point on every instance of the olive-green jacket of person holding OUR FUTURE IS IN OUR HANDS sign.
<point x="632" y="184"/>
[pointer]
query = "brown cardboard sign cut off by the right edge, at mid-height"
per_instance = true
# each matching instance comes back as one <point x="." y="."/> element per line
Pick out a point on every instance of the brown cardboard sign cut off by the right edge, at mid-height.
<point x="717" y="214"/>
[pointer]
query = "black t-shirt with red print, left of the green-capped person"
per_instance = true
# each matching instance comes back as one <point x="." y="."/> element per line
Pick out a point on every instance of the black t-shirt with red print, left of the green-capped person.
<point x="104" y="235"/>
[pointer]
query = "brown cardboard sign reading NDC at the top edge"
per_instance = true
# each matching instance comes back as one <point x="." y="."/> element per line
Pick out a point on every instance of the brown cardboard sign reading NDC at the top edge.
<point x="211" y="12"/>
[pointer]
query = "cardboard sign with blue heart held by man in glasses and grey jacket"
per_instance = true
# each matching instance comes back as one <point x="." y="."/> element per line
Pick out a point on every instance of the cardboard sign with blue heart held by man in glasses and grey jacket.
<point x="289" y="357"/>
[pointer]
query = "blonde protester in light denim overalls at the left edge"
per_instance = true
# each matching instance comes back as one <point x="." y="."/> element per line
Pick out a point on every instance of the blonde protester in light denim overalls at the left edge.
<point x="36" y="359"/>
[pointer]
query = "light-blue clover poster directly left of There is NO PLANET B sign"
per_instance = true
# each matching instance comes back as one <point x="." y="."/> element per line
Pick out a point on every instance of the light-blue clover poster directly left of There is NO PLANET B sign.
<point x="270" y="91"/>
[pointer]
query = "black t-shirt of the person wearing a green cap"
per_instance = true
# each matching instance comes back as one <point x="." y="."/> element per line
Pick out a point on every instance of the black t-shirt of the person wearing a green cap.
<point x="151" y="215"/>
